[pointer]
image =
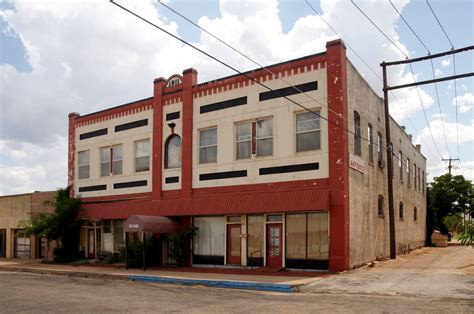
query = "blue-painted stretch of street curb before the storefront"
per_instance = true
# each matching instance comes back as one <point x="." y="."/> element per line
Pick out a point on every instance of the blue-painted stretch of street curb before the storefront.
<point x="216" y="283"/>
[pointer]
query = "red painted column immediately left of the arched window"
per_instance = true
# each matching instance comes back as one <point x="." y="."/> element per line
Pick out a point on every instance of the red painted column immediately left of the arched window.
<point x="157" y="148"/>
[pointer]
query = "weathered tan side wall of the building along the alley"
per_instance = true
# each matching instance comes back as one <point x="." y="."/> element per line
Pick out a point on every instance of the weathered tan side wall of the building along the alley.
<point x="369" y="217"/>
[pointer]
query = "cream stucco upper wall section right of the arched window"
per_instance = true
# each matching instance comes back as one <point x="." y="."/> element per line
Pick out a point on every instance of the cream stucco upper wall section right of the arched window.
<point x="281" y="111"/>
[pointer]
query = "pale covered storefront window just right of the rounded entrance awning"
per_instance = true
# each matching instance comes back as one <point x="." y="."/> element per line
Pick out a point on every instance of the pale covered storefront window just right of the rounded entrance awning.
<point x="209" y="239"/>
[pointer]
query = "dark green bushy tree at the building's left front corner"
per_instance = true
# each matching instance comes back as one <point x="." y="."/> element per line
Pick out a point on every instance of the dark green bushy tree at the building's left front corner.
<point x="62" y="225"/>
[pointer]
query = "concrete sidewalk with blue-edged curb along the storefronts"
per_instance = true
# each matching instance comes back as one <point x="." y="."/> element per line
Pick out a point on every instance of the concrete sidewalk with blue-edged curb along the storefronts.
<point x="285" y="281"/>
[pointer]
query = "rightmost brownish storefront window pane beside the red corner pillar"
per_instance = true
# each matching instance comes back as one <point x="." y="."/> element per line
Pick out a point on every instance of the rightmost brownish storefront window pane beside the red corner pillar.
<point x="318" y="244"/>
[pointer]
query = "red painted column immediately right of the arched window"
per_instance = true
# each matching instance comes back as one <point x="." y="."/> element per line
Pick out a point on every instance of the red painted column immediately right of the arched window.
<point x="189" y="80"/>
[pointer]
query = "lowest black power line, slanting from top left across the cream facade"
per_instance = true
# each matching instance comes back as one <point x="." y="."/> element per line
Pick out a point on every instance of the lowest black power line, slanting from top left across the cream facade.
<point x="234" y="69"/>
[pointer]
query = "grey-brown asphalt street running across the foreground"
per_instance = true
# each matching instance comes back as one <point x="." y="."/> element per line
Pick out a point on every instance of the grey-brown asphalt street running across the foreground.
<point x="37" y="293"/>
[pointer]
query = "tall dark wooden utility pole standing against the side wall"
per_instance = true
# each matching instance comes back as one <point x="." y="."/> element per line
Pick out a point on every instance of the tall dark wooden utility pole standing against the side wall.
<point x="391" y="210"/>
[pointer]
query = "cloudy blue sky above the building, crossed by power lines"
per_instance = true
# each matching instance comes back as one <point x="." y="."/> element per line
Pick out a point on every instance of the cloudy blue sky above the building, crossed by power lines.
<point x="59" y="57"/>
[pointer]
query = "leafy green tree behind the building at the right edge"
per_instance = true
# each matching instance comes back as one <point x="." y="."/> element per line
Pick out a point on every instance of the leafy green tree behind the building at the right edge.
<point x="450" y="203"/>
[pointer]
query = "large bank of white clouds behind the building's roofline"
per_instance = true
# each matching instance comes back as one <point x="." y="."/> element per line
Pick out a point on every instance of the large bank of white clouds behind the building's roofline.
<point x="92" y="55"/>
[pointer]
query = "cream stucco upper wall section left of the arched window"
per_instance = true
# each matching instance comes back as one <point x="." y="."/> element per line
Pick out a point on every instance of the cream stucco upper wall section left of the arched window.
<point x="127" y="138"/>
